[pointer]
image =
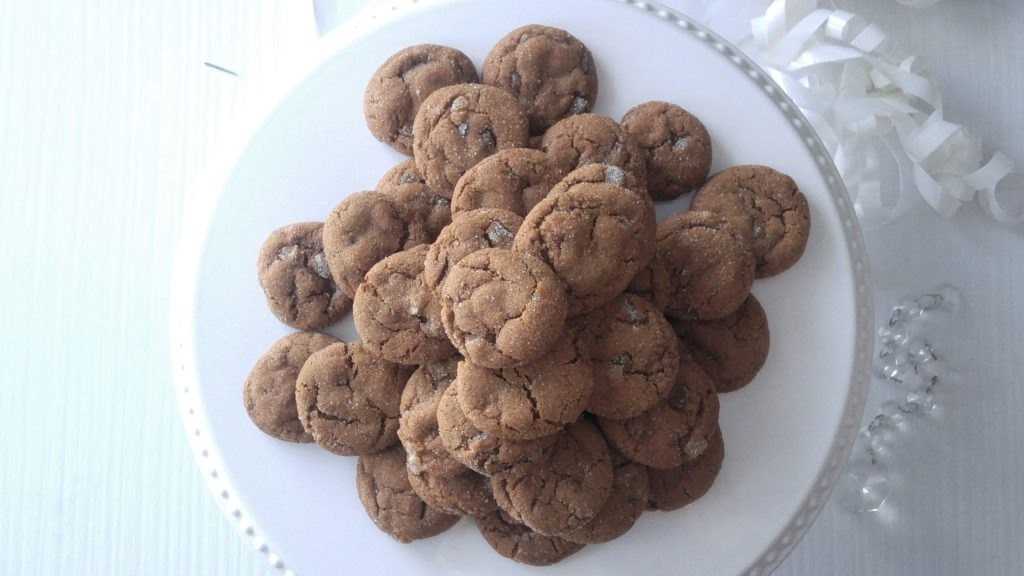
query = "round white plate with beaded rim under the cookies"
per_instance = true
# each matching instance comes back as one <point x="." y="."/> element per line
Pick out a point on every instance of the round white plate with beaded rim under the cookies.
<point x="787" y="434"/>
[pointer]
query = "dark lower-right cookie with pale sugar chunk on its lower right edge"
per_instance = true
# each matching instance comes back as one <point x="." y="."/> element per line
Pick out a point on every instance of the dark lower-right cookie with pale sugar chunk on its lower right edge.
<point x="675" y="431"/>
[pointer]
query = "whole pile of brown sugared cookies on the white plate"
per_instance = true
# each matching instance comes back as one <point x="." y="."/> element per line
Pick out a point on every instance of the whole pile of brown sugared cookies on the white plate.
<point x="535" y="350"/>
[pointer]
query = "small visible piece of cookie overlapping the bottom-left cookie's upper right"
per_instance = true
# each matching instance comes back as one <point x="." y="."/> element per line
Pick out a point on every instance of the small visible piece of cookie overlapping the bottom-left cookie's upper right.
<point x="466" y="493"/>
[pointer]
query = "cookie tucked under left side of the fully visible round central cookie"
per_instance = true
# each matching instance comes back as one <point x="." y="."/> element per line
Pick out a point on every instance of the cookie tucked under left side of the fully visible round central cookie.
<point x="397" y="315"/>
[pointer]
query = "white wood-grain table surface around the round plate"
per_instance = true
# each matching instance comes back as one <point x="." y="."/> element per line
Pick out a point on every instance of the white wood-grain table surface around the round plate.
<point x="107" y="116"/>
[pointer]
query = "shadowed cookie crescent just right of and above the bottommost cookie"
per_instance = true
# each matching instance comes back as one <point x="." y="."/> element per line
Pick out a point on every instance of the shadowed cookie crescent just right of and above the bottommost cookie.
<point x="630" y="492"/>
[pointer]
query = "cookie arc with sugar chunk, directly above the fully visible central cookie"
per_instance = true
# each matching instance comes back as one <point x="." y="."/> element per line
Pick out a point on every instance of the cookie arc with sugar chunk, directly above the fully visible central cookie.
<point x="487" y="228"/>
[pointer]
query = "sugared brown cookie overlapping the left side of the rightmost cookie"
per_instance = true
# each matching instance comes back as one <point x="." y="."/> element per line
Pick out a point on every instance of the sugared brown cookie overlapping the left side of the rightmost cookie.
<point x="710" y="265"/>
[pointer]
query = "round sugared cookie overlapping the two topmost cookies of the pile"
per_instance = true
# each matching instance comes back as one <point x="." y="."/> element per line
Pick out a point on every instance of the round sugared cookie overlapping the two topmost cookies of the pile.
<point x="458" y="127"/>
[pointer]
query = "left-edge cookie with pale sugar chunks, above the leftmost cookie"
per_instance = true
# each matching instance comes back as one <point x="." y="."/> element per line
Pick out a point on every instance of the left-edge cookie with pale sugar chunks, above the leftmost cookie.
<point x="296" y="278"/>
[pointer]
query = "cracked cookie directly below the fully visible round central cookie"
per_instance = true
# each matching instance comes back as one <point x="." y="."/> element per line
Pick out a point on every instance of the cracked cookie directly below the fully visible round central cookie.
<point x="532" y="401"/>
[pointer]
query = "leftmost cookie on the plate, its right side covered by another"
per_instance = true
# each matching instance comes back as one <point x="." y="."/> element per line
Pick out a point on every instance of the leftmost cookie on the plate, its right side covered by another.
<point x="269" y="394"/>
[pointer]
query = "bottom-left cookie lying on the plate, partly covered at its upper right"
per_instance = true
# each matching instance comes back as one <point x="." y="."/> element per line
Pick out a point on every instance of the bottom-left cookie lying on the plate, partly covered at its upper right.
<point x="383" y="486"/>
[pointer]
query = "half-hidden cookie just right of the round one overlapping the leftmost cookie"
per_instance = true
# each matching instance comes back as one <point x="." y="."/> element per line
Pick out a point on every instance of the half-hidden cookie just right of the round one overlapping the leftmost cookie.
<point x="418" y="424"/>
